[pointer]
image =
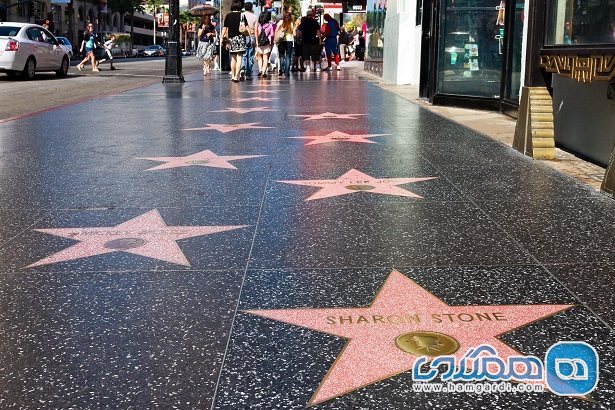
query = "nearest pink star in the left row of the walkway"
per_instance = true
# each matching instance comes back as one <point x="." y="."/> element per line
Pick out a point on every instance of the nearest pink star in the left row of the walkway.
<point x="145" y="235"/>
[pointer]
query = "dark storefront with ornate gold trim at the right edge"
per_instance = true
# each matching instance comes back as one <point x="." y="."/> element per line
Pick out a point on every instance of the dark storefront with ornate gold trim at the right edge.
<point x="578" y="57"/>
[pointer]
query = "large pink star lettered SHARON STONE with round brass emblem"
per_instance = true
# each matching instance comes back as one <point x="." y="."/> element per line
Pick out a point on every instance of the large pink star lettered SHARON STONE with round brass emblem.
<point x="404" y="314"/>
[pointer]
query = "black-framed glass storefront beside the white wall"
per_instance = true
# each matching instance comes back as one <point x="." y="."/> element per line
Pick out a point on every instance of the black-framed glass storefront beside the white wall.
<point x="474" y="56"/>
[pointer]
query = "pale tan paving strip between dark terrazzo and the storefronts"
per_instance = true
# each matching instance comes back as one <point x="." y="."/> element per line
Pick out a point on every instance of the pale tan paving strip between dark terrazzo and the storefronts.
<point x="496" y="126"/>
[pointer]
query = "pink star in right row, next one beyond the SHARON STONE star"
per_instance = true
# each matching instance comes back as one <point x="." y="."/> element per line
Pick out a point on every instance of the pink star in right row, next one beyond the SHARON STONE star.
<point x="356" y="181"/>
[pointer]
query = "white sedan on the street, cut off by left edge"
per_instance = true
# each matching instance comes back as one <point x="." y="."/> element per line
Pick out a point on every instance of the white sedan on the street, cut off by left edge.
<point x="26" y="49"/>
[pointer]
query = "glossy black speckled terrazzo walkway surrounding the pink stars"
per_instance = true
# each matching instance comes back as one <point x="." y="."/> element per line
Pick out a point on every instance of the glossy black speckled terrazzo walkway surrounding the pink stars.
<point x="126" y="328"/>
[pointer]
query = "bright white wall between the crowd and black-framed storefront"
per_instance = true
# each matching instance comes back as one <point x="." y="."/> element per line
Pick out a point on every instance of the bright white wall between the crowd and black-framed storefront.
<point x="402" y="44"/>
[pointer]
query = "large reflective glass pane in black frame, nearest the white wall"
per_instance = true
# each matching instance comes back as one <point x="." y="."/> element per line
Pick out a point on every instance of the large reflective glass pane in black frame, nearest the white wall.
<point x="471" y="48"/>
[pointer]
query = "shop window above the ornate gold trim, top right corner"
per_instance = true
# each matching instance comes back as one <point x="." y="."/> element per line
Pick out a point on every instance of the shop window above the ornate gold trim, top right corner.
<point x="573" y="22"/>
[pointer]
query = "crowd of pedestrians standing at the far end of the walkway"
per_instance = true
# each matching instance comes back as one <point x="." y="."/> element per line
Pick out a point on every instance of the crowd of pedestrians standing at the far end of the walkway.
<point x="277" y="46"/>
